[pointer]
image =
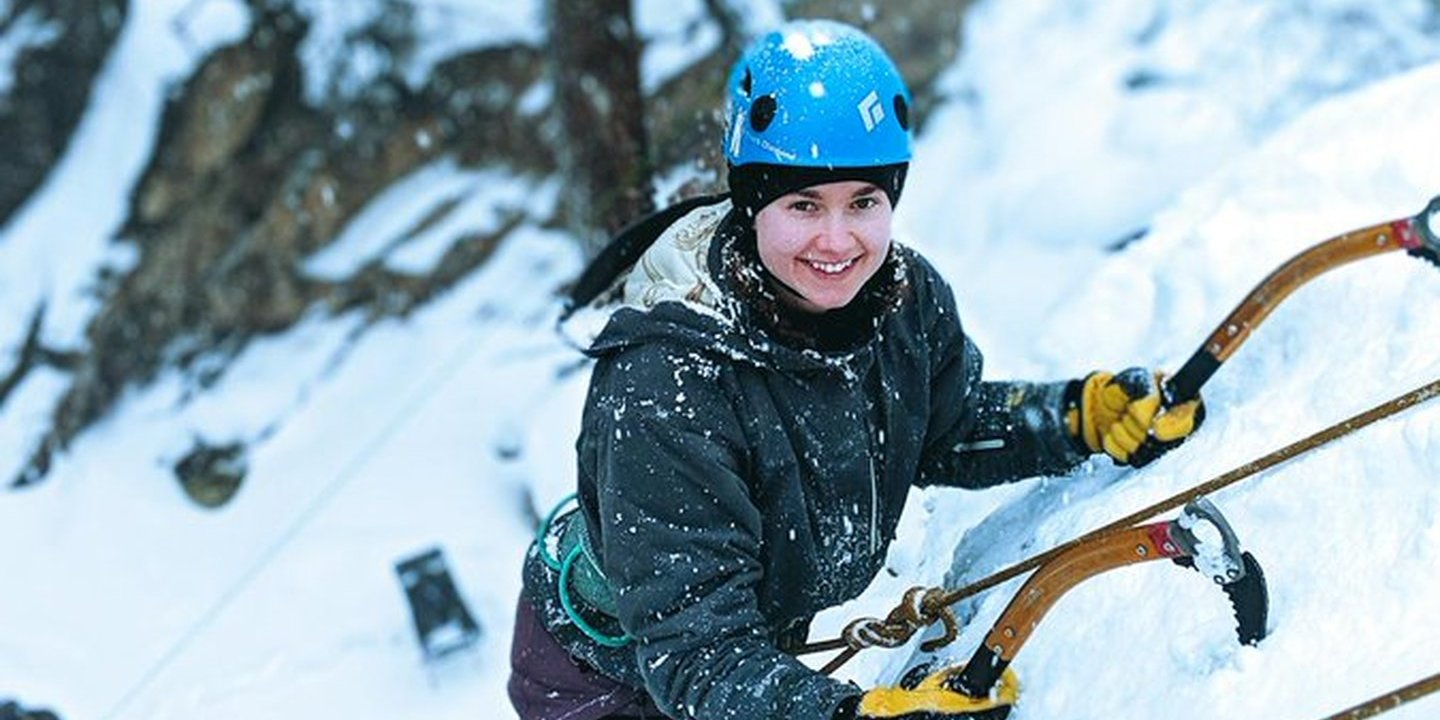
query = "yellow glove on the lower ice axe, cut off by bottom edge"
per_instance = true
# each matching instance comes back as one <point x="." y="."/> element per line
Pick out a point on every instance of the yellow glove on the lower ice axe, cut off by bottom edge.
<point x="932" y="699"/>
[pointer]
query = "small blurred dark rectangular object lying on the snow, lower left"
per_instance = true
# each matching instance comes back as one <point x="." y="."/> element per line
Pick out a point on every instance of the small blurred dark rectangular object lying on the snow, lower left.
<point x="443" y="623"/>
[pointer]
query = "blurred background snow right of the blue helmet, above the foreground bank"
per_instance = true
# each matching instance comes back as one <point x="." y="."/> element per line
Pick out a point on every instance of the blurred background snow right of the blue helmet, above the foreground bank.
<point x="1056" y="155"/>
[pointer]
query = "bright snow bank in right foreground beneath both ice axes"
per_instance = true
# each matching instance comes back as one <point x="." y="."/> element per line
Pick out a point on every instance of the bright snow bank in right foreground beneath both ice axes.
<point x="1350" y="535"/>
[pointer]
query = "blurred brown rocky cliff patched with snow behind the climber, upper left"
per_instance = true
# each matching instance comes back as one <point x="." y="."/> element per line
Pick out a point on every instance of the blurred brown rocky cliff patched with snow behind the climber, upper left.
<point x="250" y="178"/>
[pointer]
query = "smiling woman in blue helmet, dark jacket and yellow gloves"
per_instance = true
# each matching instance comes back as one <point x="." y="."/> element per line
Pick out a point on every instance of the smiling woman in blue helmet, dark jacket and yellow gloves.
<point x="775" y="379"/>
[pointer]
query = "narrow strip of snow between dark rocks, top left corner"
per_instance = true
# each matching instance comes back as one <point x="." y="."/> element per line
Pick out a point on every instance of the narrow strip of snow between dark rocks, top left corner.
<point x="159" y="45"/>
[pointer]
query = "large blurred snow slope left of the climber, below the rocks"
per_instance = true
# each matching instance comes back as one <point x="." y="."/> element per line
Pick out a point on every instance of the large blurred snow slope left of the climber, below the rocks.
<point x="374" y="450"/>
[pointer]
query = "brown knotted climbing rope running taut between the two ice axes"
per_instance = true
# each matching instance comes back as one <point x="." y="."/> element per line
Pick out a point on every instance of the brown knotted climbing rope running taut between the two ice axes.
<point x="922" y="608"/>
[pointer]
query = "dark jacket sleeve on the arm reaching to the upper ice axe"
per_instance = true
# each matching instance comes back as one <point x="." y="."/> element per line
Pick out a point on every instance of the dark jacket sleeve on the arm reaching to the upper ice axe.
<point x="984" y="434"/>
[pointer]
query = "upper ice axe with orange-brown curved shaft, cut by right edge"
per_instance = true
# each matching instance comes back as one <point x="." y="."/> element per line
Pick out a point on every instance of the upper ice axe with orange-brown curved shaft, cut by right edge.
<point x="1418" y="235"/>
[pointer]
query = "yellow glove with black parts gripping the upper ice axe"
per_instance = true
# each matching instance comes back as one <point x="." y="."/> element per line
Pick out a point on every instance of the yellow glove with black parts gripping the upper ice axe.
<point x="1122" y="417"/>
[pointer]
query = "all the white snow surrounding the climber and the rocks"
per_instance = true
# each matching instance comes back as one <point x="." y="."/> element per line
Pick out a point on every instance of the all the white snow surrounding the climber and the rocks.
<point x="1232" y="133"/>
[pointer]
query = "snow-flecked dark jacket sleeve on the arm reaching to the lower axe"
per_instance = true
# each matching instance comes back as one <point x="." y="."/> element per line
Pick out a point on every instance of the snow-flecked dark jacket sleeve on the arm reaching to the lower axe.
<point x="680" y="544"/>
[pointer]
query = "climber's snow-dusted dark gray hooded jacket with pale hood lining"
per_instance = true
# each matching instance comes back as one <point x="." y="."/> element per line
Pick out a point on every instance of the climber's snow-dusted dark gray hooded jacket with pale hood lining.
<point x="737" y="485"/>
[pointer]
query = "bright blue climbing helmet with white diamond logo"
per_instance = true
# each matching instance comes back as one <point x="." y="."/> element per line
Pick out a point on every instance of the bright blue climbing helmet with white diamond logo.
<point x="817" y="94"/>
